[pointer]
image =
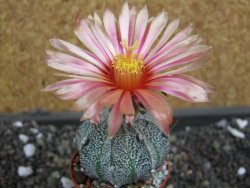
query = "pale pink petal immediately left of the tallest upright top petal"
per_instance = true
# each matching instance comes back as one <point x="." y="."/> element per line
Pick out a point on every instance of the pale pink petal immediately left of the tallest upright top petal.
<point x="109" y="22"/>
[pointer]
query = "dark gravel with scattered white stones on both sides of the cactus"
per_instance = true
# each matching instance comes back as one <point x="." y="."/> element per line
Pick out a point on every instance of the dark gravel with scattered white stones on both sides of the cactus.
<point x="213" y="156"/>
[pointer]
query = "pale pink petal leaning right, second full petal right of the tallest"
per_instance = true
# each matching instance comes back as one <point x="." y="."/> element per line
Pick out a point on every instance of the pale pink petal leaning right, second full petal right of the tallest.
<point x="155" y="29"/>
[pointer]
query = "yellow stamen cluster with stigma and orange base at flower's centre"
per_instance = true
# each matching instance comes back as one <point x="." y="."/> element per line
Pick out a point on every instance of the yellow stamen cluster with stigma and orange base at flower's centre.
<point x="128" y="68"/>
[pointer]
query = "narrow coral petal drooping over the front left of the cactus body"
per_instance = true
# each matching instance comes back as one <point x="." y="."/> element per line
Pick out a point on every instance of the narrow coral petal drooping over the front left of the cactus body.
<point x="115" y="120"/>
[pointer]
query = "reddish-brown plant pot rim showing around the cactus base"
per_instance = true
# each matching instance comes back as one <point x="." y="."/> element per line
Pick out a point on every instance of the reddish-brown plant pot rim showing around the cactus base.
<point x="78" y="177"/>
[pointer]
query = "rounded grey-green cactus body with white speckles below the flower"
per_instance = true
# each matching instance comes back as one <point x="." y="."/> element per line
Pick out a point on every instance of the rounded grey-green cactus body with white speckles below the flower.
<point x="126" y="158"/>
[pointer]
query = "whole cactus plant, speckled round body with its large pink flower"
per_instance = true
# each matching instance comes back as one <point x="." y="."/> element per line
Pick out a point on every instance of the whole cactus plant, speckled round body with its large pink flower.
<point x="131" y="63"/>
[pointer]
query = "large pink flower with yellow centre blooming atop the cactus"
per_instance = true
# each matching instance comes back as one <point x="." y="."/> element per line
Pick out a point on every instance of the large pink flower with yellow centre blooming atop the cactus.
<point x="127" y="65"/>
